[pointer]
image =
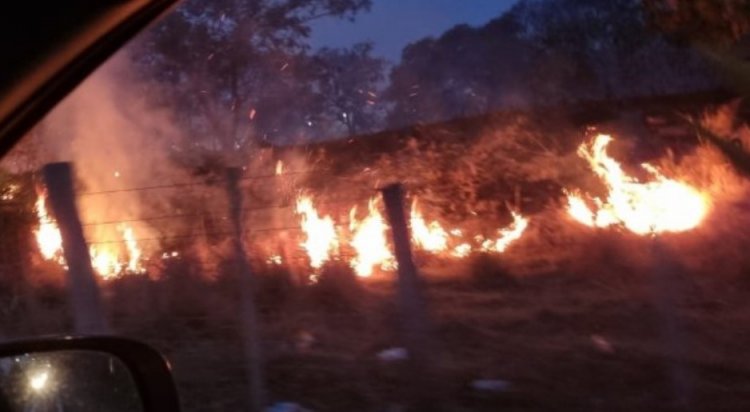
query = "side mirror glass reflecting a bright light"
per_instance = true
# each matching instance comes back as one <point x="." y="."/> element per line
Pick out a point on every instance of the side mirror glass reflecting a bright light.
<point x="67" y="381"/>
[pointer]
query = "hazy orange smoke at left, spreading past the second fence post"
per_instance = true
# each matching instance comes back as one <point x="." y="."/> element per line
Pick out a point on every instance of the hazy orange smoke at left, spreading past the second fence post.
<point x="119" y="138"/>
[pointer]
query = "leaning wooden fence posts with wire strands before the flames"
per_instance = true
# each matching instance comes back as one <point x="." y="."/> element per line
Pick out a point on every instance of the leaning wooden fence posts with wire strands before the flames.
<point x="89" y="314"/>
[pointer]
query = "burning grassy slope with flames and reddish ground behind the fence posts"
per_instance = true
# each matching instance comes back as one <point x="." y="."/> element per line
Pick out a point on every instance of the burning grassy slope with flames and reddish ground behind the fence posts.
<point x="563" y="305"/>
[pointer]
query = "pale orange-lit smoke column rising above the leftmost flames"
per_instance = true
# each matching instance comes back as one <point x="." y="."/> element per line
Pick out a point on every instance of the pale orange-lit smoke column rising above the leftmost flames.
<point x="117" y="139"/>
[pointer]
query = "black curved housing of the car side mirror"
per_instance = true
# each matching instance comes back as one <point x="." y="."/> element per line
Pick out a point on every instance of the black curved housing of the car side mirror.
<point x="149" y="369"/>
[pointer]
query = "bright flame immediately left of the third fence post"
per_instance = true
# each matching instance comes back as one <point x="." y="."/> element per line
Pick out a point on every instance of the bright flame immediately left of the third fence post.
<point x="369" y="241"/>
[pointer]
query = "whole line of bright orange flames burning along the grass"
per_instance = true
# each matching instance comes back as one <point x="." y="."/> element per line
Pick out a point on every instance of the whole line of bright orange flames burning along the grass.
<point x="671" y="195"/>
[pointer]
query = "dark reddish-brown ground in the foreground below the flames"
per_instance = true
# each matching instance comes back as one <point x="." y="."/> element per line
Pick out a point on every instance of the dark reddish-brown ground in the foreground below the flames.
<point x="619" y="337"/>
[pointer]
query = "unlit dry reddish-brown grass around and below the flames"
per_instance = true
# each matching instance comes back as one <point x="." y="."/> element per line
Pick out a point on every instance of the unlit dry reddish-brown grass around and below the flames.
<point x="573" y="318"/>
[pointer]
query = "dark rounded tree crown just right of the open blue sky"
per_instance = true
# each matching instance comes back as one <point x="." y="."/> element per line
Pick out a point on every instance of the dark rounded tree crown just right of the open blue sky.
<point x="463" y="72"/>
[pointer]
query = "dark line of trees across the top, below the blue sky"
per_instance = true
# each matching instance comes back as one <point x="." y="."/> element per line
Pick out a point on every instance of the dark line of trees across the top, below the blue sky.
<point x="239" y="73"/>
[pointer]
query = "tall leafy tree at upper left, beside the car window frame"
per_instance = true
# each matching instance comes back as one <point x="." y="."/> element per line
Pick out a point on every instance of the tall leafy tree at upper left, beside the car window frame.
<point x="234" y="69"/>
